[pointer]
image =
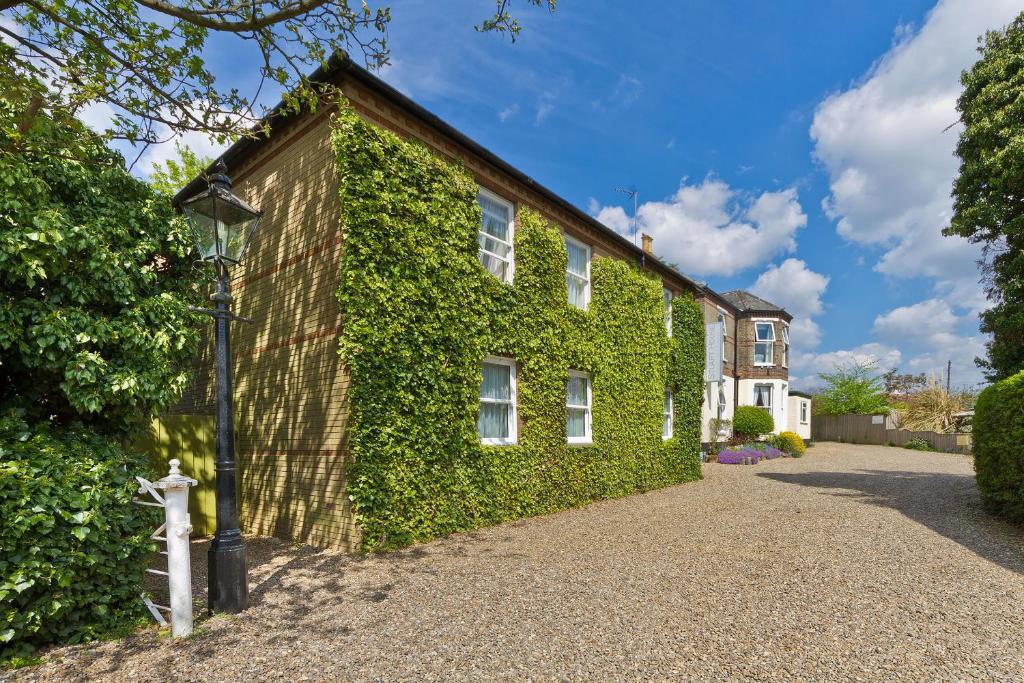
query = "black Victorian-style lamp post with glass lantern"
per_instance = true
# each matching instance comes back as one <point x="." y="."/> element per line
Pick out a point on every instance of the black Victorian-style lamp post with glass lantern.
<point x="223" y="225"/>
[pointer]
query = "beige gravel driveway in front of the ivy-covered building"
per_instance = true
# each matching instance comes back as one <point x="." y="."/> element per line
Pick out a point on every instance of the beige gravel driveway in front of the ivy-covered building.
<point x="851" y="564"/>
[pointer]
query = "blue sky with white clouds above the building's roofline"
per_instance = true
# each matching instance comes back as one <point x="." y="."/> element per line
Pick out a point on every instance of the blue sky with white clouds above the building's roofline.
<point x="800" y="150"/>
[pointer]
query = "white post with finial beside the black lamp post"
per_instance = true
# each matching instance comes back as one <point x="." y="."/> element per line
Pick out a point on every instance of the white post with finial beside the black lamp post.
<point x="179" y="528"/>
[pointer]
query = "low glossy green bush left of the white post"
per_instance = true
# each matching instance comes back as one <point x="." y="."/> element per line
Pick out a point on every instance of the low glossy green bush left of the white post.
<point x="73" y="547"/>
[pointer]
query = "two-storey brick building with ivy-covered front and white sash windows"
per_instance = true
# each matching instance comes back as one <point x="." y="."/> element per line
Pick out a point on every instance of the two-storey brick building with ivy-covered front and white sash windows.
<point x="442" y="343"/>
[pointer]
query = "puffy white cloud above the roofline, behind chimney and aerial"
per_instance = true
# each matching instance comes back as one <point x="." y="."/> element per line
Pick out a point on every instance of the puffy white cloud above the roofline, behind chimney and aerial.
<point x="711" y="229"/>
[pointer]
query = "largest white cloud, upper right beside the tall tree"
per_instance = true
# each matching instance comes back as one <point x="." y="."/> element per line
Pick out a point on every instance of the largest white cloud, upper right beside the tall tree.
<point x="888" y="145"/>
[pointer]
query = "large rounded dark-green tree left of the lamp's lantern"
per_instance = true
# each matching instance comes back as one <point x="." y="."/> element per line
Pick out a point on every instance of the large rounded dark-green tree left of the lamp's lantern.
<point x="96" y="280"/>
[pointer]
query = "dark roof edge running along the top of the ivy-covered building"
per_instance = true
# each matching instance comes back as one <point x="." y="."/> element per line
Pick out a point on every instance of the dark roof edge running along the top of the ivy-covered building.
<point x="342" y="66"/>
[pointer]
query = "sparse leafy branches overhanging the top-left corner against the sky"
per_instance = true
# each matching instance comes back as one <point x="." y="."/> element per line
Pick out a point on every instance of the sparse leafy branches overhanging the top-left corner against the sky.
<point x="145" y="60"/>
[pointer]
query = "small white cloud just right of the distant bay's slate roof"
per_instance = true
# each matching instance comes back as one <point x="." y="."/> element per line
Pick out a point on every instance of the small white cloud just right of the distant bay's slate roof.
<point x="799" y="290"/>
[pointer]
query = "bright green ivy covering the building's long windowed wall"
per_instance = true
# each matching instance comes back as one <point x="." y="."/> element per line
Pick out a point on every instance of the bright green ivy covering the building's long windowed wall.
<point x="421" y="314"/>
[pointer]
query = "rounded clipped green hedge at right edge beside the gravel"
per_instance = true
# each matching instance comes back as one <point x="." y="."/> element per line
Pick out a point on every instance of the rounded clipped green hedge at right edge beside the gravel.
<point x="999" y="447"/>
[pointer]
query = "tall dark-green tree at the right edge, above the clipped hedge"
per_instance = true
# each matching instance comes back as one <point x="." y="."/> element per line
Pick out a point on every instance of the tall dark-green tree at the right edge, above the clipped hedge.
<point x="989" y="193"/>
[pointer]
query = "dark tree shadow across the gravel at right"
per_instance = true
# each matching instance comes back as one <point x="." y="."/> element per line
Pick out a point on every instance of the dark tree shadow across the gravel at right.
<point x="948" y="504"/>
